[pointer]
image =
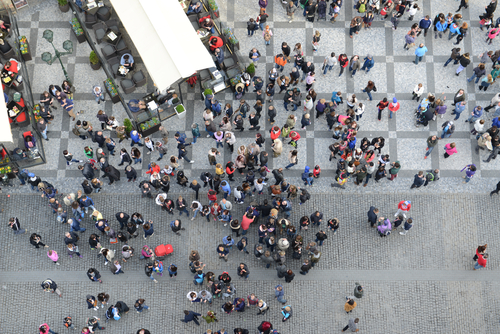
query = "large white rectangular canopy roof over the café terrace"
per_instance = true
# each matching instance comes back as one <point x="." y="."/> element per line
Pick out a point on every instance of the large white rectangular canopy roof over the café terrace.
<point x="165" y="39"/>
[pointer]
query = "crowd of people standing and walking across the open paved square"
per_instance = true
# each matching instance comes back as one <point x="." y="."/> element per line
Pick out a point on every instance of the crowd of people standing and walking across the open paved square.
<point x="280" y="240"/>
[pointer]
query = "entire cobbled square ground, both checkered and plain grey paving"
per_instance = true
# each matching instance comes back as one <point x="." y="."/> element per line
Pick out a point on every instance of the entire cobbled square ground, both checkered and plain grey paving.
<point x="420" y="283"/>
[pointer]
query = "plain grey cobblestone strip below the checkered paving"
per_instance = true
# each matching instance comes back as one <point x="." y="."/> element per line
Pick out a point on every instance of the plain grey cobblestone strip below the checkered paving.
<point x="420" y="282"/>
